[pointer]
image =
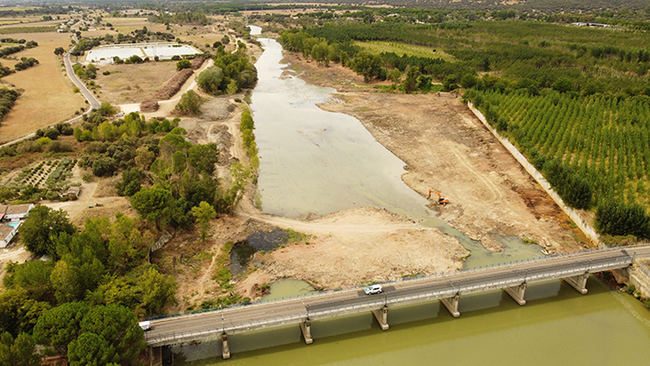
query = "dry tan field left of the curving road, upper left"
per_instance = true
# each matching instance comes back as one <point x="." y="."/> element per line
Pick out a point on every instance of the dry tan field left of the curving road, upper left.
<point x="48" y="97"/>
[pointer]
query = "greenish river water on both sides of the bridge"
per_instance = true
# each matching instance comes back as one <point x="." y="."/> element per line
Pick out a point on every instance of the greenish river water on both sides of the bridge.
<point x="314" y="161"/>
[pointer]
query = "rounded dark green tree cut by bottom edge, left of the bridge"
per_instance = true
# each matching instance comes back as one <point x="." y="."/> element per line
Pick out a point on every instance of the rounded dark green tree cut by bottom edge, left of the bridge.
<point x="91" y="349"/>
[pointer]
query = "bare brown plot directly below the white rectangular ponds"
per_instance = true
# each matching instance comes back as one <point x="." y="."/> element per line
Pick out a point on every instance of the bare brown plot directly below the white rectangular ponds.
<point x="133" y="83"/>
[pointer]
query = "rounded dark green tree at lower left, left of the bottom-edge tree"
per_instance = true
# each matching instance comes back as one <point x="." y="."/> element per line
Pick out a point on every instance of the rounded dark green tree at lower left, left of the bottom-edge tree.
<point x="58" y="326"/>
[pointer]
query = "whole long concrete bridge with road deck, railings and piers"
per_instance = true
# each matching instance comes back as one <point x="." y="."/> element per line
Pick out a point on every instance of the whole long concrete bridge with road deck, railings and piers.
<point x="512" y="278"/>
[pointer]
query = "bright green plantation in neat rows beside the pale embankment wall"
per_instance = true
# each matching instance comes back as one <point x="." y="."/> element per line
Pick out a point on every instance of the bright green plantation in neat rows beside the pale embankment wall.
<point x="604" y="140"/>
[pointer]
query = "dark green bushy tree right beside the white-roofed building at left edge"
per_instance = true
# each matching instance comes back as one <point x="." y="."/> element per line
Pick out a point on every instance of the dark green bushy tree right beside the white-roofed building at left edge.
<point x="41" y="227"/>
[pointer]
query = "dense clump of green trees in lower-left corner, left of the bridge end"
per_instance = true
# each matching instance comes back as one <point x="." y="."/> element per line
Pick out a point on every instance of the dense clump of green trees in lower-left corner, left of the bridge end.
<point x="84" y="300"/>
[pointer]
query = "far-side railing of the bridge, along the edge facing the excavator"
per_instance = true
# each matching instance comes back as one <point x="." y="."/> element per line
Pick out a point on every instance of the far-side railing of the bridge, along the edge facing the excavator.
<point x="412" y="278"/>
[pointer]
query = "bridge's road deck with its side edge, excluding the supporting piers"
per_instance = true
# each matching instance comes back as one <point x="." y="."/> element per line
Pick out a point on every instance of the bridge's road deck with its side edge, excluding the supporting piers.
<point x="257" y="316"/>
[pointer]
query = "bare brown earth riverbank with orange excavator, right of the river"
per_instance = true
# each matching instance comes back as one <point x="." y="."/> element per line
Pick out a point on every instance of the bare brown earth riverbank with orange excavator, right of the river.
<point x="448" y="150"/>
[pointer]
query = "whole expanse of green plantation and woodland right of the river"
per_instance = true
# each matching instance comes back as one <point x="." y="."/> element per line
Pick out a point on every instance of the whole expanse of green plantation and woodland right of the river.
<point x="575" y="100"/>
